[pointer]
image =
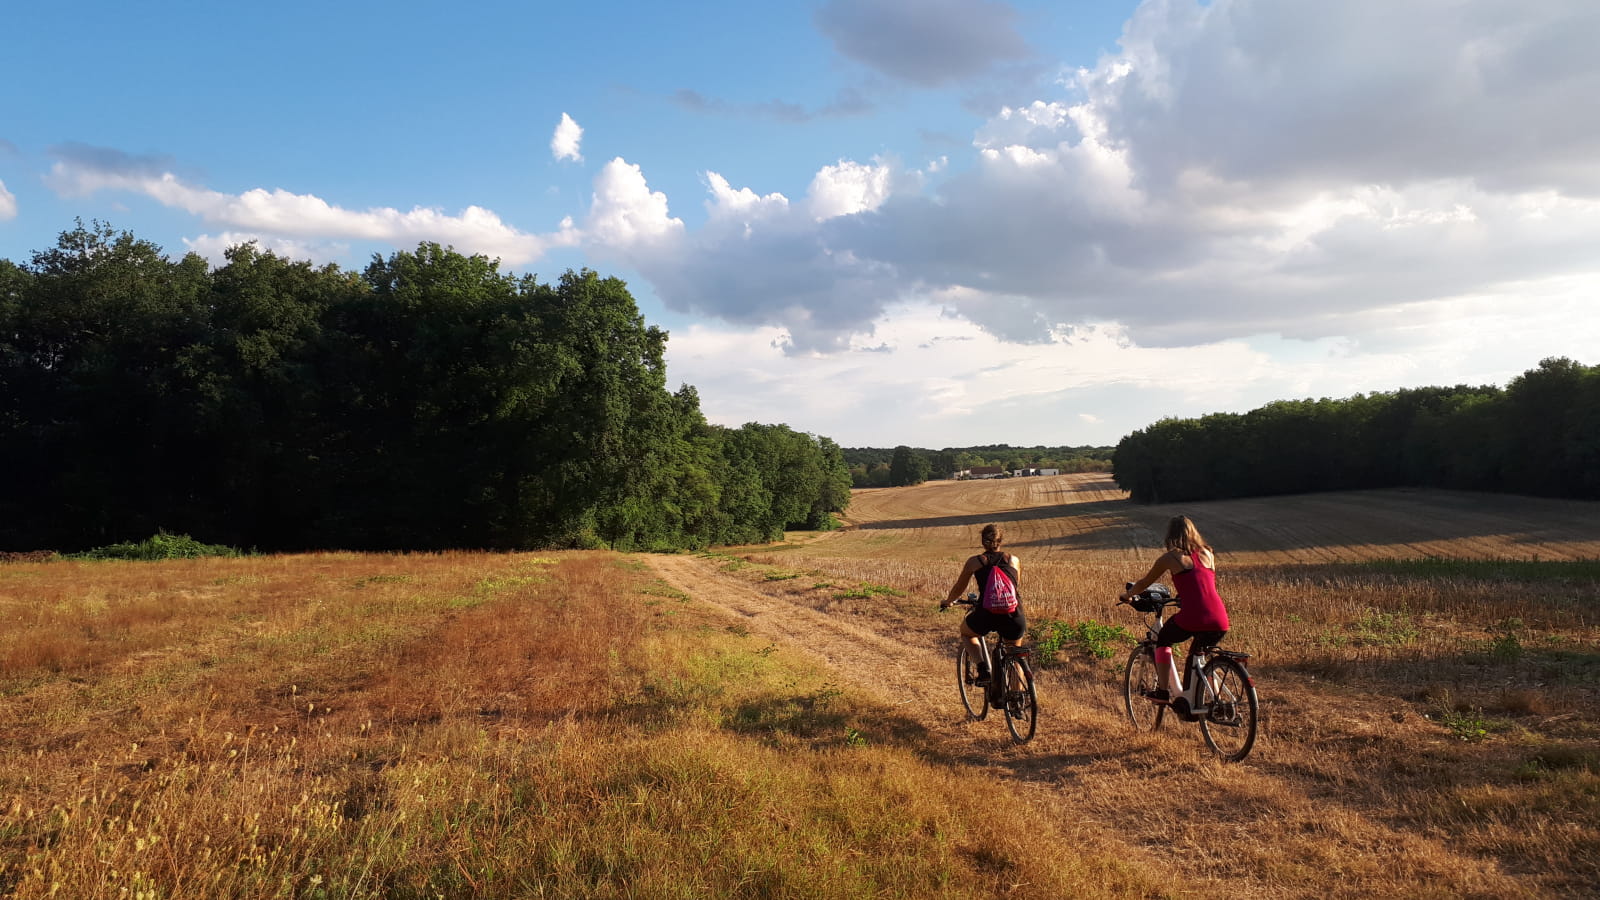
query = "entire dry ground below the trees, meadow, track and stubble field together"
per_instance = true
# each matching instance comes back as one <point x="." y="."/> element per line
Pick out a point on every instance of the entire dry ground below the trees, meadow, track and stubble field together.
<point x="783" y="721"/>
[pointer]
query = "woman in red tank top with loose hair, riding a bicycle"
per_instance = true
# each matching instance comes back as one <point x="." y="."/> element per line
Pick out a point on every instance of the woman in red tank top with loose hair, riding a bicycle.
<point x="1202" y="616"/>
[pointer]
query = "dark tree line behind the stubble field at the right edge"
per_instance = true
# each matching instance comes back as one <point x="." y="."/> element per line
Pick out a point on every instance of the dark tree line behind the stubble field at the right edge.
<point x="1538" y="436"/>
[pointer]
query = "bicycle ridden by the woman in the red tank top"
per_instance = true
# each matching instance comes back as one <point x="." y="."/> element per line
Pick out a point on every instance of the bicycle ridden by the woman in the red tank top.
<point x="1226" y="705"/>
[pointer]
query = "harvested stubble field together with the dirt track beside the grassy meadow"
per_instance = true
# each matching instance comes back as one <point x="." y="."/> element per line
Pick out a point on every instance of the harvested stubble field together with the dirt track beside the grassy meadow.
<point x="1428" y="662"/>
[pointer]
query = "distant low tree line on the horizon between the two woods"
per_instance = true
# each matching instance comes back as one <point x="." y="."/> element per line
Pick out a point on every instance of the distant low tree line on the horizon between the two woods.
<point x="898" y="467"/>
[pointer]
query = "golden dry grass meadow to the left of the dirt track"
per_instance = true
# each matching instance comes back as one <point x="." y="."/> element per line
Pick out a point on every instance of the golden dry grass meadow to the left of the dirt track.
<point x="466" y="726"/>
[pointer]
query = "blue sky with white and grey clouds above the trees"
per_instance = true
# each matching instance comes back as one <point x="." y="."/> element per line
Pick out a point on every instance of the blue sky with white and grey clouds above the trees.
<point x="886" y="222"/>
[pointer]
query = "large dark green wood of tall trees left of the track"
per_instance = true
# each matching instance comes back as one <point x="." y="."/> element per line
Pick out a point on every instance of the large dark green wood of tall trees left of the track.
<point x="426" y="403"/>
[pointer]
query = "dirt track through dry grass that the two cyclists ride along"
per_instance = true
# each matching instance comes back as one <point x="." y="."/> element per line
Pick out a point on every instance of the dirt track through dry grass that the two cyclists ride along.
<point x="1089" y="765"/>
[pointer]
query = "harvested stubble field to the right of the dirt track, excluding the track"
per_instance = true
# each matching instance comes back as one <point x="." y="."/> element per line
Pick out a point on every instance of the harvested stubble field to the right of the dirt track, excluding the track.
<point x="1383" y="677"/>
